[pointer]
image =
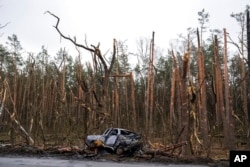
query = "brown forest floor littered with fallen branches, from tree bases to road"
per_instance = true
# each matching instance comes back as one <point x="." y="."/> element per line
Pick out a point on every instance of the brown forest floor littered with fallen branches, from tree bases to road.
<point x="217" y="155"/>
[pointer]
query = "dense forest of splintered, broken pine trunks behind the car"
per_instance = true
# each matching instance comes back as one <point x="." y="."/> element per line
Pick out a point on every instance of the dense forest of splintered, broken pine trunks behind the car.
<point x="198" y="93"/>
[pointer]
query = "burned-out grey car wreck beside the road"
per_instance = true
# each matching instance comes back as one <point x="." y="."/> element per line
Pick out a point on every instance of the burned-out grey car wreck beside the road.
<point x="116" y="140"/>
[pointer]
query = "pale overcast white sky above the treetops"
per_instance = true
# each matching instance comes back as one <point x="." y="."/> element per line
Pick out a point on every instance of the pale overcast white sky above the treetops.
<point x="103" y="20"/>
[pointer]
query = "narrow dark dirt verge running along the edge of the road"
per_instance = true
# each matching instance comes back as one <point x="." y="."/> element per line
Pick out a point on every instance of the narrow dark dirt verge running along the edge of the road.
<point x="78" y="153"/>
